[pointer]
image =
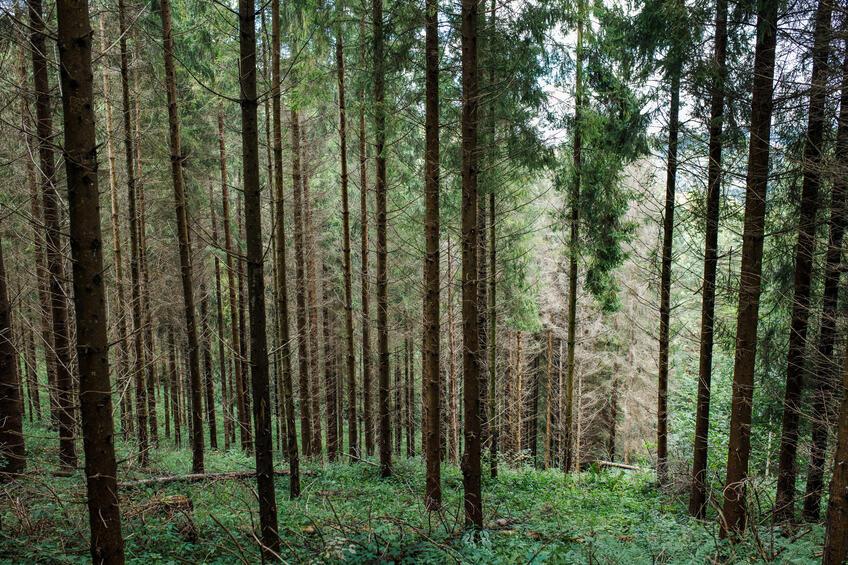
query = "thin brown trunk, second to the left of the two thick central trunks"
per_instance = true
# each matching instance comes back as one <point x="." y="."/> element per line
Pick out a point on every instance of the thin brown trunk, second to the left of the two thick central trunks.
<point x="367" y="414"/>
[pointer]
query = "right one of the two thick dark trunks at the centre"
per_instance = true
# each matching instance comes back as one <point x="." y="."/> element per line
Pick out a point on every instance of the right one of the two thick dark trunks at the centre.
<point x="470" y="333"/>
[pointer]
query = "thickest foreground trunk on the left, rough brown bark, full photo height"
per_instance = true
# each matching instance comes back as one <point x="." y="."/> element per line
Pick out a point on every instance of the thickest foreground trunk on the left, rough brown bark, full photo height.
<point x="74" y="38"/>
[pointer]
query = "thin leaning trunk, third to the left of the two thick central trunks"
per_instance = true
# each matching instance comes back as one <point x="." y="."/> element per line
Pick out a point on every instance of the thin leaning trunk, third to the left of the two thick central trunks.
<point x="350" y="357"/>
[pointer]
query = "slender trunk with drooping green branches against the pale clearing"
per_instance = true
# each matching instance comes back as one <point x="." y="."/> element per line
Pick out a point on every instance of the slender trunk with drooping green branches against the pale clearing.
<point x="568" y="456"/>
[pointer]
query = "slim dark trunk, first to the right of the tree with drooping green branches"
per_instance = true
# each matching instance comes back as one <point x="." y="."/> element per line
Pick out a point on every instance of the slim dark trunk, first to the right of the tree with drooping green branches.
<point x="665" y="275"/>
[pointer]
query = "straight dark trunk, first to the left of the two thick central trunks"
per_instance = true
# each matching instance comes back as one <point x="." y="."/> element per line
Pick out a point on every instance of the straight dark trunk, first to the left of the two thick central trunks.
<point x="383" y="375"/>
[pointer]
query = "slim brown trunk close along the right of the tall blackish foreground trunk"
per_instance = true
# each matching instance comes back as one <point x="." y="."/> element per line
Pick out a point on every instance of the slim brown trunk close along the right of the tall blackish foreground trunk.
<point x="280" y="235"/>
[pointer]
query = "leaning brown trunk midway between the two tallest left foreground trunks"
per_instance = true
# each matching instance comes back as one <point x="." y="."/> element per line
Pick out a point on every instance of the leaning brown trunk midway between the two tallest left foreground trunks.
<point x="183" y="235"/>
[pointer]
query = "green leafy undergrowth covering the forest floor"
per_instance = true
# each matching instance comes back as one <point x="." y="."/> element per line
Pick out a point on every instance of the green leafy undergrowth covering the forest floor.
<point x="348" y="514"/>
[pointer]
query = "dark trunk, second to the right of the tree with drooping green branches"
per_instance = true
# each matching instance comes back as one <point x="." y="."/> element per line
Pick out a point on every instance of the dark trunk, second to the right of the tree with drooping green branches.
<point x="698" y="491"/>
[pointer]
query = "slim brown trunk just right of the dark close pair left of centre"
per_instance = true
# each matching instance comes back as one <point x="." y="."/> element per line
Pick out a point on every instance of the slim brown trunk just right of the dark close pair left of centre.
<point x="302" y="352"/>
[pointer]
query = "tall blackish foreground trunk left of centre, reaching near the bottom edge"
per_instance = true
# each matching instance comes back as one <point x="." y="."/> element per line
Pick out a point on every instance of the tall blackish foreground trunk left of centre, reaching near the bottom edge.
<point x="256" y="285"/>
